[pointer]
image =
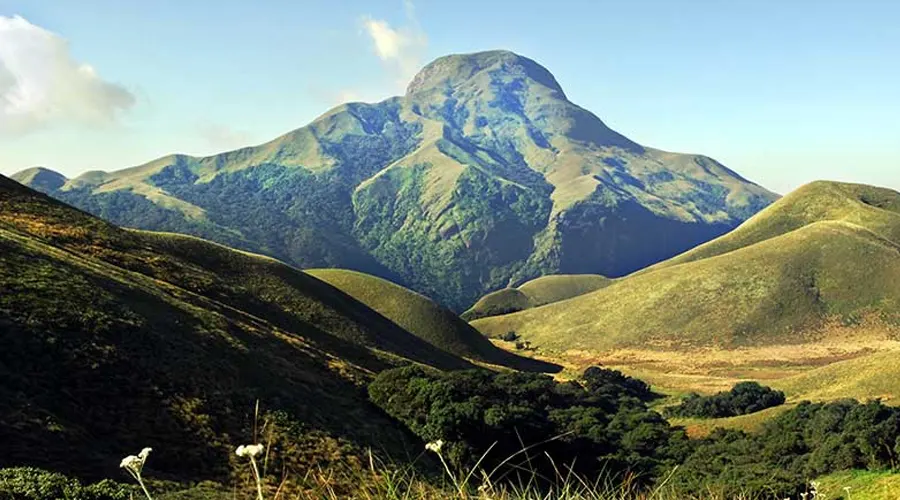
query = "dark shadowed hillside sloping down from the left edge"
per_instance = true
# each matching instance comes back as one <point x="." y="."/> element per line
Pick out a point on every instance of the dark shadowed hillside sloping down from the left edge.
<point x="114" y="340"/>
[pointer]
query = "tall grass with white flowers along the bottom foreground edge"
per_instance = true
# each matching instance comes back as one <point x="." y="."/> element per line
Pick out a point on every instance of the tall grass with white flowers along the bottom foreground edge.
<point x="379" y="480"/>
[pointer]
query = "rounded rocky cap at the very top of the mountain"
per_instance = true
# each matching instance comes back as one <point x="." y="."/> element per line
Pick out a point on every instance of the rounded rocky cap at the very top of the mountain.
<point x="455" y="69"/>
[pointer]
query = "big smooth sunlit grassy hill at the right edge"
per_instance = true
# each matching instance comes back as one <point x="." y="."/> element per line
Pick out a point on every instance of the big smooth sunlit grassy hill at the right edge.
<point x="822" y="259"/>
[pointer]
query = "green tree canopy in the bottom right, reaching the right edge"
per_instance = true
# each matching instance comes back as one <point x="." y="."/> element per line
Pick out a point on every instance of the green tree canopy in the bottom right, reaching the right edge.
<point x="808" y="441"/>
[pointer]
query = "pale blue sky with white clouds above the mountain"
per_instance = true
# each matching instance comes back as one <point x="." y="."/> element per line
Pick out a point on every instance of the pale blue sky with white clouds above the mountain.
<point x="781" y="92"/>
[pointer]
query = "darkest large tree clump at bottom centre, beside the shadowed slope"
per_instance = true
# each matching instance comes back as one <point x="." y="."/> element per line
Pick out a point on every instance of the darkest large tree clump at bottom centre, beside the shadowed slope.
<point x="597" y="424"/>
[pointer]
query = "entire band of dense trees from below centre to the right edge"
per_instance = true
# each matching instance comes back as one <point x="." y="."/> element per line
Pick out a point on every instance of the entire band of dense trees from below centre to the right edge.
<point x="601" y="424"/>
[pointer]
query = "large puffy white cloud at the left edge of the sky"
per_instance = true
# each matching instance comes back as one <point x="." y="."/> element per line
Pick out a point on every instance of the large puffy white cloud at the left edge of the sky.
<point x="42" y="85"/>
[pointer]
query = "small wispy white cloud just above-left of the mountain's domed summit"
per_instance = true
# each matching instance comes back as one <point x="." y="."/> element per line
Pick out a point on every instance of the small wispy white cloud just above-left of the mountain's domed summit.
<point x="402" y="49"/>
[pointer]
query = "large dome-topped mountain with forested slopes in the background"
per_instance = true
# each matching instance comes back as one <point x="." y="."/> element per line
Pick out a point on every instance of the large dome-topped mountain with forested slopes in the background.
<point x="481" y="176"/>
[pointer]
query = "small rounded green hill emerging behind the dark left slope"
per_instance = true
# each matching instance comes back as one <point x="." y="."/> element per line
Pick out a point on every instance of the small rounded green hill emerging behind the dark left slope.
<point x="424" y="318"/>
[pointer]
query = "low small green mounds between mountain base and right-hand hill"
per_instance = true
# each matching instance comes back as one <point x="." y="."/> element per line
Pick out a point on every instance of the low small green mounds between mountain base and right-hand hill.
<point x="535" y="293"/>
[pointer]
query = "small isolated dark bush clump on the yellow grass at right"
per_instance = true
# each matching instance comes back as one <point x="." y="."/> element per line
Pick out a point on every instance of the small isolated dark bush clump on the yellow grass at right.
<point x="743" y="398"/>
